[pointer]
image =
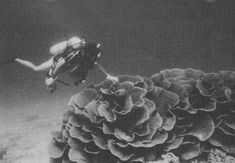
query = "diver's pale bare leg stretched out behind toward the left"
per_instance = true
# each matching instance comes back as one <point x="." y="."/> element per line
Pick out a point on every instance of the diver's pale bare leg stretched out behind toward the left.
<point x="42" y="67"/>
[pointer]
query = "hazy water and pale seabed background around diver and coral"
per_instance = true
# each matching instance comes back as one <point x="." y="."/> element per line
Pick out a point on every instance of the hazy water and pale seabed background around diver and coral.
<point x="137" y="37"/>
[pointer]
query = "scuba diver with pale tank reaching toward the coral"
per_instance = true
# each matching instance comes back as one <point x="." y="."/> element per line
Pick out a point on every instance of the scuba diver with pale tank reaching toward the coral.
<point x="74" y="56"/>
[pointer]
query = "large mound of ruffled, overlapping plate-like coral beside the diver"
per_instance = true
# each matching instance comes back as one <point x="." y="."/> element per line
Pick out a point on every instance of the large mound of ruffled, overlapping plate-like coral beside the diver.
<point x="186" y="112"/>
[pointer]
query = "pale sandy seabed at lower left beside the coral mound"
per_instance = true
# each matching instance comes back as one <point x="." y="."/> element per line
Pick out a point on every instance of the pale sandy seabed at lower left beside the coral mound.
<point x="25" y="133"/>
